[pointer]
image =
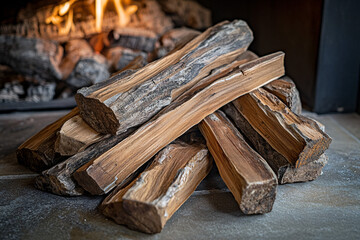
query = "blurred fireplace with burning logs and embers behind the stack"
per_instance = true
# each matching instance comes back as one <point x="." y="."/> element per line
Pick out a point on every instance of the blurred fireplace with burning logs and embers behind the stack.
<point x="50" y="49"/>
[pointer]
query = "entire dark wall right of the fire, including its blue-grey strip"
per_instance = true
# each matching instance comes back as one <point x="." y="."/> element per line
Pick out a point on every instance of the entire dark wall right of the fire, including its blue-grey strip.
<point x="321" y="41"/>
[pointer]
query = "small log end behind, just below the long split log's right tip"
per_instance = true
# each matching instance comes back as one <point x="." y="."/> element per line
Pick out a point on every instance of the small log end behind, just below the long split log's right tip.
<point x="284" y="88"/>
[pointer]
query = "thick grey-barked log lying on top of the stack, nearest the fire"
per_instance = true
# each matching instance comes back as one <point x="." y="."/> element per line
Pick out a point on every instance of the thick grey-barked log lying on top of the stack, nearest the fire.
<point x="112" y="108"/>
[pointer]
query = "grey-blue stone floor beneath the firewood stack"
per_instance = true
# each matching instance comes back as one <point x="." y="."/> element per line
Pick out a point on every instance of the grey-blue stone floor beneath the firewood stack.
<point x="327" y="208"/>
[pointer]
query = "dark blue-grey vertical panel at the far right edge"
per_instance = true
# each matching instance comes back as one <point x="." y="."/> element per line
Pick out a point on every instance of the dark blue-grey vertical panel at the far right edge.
<point x="337" y="86"/>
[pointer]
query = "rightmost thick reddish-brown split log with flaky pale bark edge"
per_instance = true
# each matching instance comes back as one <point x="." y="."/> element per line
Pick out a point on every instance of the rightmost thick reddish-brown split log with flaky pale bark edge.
<point x="278" y="123"/>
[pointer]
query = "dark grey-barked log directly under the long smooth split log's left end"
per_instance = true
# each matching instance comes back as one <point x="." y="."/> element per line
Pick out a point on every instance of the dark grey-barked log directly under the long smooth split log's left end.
<point x="59" y="178"/>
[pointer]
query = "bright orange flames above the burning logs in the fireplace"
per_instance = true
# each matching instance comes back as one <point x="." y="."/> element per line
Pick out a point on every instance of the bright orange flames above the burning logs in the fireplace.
<point x="62" y="14"/>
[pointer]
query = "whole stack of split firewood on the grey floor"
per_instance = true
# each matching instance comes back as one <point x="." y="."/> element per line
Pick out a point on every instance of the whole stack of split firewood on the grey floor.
<point x="137" y="135"/>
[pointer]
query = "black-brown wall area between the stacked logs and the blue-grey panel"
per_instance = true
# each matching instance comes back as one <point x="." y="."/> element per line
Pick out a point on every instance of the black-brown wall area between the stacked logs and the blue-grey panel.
<point x="292" y="26"/>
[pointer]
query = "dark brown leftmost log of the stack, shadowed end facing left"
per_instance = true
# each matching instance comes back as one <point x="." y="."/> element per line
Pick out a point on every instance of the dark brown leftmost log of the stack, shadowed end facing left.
<point x="37" y="153"/>
